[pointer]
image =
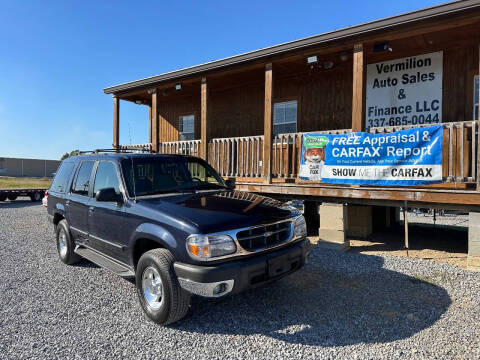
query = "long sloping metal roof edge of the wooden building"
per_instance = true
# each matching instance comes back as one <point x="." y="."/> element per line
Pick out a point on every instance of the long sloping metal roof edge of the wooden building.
<point x="450" y="8"/>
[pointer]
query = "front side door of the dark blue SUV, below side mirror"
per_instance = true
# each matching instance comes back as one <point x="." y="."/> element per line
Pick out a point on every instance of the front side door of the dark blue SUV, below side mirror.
<point x="106" y="220"/>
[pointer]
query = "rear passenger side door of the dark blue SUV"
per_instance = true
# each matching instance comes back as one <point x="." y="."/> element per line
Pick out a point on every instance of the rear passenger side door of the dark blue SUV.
<point x="76" y="204"/>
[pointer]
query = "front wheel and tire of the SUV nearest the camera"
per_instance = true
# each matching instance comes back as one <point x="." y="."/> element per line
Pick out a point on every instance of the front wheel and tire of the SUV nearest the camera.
<point x="173" y="303"/>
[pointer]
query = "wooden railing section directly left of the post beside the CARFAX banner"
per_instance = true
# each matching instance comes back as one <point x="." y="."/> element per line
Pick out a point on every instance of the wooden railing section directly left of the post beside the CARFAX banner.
<point x="237" y="156"/>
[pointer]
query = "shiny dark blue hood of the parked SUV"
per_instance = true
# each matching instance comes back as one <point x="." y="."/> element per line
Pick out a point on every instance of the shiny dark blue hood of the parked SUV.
<point x="220" y="211"/>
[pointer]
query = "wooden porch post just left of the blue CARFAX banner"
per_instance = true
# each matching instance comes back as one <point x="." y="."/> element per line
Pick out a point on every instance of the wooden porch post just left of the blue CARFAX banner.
<point x="268" y="126"/>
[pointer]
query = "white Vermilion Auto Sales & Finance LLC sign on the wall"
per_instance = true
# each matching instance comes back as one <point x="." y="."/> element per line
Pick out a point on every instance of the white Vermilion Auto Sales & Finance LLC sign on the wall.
<point x="405" y="91"/>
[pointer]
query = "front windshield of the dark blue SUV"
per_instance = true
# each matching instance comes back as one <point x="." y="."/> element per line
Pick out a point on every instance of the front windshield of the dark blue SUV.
<point x="162" y="174"/>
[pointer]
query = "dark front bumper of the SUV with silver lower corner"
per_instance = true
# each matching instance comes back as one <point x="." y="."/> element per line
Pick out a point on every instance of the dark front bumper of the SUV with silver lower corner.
<point x="240" y="275"/>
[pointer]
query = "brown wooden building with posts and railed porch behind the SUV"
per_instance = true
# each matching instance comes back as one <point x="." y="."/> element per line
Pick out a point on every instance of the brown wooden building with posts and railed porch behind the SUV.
<point x="246" y="114"/>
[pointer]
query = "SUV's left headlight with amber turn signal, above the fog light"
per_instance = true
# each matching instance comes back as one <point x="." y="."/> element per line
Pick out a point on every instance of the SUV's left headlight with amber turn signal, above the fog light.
<point x="205" y="247"/>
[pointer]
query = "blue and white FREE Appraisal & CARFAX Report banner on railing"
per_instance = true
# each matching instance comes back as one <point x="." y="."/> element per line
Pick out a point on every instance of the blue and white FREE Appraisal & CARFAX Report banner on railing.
<point x="405" y="158"/>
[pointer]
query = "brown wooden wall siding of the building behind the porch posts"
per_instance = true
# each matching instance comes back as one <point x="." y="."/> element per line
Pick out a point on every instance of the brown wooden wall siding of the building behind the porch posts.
<point x="324" y="98"/>
